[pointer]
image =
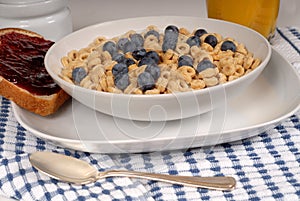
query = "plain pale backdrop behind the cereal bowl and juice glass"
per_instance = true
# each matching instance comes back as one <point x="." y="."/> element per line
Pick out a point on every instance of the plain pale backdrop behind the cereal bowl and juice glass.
<point x="88" y="12"/>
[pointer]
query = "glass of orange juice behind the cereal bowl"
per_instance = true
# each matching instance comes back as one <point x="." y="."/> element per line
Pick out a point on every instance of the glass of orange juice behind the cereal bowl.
<point x="260" y="15"/>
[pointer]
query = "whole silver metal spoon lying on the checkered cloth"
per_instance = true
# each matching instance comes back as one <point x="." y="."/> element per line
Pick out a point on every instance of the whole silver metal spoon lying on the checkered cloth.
<point x="72" y="170"/>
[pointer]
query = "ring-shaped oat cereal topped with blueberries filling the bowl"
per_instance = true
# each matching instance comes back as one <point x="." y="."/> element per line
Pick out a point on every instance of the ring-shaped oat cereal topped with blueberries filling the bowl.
<point x="158" y="62"/>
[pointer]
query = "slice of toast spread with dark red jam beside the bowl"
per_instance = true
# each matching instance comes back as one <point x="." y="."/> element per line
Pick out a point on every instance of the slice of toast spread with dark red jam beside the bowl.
<point x="23" y="77"/>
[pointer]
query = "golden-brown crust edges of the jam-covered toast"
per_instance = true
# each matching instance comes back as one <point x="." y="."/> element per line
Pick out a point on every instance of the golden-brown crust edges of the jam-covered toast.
<point x="40" y="104"/>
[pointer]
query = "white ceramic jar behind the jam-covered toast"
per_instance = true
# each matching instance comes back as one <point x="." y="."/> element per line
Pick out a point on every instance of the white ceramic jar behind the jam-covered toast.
<point x="49" y="18"/>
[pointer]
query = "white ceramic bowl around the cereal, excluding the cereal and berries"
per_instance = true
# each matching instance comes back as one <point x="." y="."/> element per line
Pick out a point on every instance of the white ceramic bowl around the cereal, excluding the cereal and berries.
<point x="161" y="107"/>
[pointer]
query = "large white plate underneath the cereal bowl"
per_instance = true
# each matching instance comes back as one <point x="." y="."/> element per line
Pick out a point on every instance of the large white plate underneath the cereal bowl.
<point x="274" y="96"/>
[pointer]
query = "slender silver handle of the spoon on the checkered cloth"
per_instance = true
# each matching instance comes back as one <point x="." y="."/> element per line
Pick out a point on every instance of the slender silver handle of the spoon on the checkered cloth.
<point x="215" y="183"/>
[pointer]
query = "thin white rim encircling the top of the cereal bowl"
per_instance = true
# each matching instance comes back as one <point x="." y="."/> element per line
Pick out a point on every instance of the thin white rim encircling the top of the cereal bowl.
<point x="141" y="96"/>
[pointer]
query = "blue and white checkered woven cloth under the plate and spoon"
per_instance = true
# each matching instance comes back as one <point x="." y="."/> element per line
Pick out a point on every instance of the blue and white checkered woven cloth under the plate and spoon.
<point x="266" y="166"/>
